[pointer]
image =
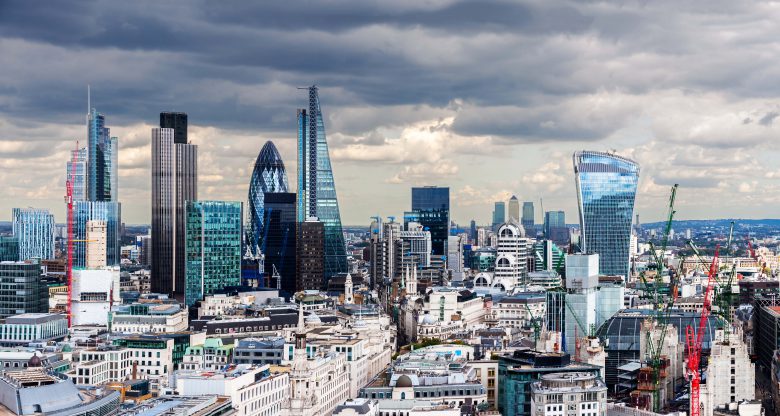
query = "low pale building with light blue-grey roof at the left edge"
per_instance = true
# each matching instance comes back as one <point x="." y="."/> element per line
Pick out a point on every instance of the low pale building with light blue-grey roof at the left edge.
<point x="25" y="328"/>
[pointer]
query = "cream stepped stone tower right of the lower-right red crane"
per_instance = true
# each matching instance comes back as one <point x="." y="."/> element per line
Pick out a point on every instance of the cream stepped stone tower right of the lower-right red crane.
<point x="730" y="373"/>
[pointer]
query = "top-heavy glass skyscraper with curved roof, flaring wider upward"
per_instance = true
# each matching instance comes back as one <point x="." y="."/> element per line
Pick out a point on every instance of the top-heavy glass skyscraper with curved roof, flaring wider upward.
<point x="606" y="190"/>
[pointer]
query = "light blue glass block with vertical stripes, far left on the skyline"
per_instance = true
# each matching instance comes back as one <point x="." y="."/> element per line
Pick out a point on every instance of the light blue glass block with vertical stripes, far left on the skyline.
<point x="34" y="229"/>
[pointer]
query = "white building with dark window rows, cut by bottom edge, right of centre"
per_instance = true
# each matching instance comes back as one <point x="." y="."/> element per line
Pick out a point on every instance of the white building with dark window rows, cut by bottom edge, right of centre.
<point x="557" y="394"/>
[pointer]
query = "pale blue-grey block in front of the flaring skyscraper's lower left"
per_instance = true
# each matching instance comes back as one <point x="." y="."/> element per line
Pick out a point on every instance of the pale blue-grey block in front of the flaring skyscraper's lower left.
<point x="582" y="280"/>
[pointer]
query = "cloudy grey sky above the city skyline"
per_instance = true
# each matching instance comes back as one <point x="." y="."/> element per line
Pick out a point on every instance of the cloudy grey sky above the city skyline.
<point x="490" y="98"/>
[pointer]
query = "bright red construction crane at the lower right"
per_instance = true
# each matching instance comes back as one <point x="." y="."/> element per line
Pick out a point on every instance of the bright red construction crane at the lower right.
<point x="695" y="340"/>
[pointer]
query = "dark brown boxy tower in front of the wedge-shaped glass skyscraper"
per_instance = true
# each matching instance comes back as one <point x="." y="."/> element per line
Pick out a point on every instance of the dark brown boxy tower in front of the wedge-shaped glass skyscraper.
<point x="310" y="259"/>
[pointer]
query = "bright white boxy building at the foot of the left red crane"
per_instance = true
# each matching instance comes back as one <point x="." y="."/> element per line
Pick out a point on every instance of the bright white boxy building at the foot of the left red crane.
<point x="94" y="292"/>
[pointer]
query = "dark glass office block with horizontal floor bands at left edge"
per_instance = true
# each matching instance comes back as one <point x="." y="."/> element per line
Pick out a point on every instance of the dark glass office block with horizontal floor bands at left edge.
<point x="21" y="288"/>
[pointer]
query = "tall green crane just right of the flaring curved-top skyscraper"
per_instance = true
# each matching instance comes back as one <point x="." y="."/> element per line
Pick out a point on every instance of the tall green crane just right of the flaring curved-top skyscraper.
<point x="661" y="308"/>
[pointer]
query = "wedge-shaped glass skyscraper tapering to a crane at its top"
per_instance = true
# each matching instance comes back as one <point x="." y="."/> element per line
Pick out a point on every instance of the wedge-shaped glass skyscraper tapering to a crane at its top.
<point x="316" y="186"/>
